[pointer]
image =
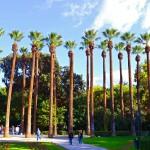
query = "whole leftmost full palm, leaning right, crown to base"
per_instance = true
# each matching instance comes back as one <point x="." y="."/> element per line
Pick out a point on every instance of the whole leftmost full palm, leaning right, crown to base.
<point x="16" y="36"/>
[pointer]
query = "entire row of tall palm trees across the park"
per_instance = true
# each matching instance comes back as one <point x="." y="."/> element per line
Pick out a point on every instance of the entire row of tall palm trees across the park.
<point x="89" y="44"/>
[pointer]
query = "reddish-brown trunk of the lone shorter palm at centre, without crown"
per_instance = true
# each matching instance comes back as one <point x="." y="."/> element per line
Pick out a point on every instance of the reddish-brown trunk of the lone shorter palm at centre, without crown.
<point x="70" y="54"/>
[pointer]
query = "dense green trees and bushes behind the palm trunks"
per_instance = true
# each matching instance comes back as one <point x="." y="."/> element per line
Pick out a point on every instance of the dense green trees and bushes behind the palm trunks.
<point x="62" y="78"/>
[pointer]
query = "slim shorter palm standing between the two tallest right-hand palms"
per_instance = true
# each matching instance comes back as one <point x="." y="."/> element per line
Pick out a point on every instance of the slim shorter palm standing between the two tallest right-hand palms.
<point x="103" y="46"/>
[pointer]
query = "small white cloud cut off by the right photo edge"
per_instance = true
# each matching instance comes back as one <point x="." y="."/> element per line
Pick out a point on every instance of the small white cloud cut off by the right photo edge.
<point x="146" y="20"/>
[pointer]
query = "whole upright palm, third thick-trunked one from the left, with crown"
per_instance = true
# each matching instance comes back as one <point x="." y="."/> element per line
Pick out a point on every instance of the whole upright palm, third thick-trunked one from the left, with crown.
<point x="53" y="40"/>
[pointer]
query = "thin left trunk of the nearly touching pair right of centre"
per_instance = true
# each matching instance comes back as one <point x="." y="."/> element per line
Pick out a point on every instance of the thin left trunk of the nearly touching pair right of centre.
<point x="88" y="92"/>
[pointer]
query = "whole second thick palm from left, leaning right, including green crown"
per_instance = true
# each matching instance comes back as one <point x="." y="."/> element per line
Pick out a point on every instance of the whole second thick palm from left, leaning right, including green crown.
<point x="36" y="38"/>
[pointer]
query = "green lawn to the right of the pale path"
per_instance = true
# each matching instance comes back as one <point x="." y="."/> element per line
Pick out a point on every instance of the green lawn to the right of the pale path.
<point x="112" y="143"/>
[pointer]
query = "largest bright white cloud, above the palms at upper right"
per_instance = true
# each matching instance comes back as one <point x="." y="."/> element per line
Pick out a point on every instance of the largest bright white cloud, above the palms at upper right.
<point x="120" y="14"/>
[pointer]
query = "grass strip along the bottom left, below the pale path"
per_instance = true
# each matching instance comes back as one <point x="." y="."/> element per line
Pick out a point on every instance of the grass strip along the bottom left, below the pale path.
<point x="29" y="146"/>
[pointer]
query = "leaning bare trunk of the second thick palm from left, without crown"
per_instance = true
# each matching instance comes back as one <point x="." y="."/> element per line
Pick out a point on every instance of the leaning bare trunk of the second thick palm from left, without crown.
<point x="28" y="131"/>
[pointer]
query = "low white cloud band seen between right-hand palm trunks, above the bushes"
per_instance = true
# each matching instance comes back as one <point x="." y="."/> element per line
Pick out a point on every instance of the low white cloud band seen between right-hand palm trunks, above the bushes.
<point x="116" y="78"/>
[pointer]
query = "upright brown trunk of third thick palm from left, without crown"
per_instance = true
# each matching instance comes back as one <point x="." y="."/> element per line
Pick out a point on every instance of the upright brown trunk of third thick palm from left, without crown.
<point x="52" y="58"/>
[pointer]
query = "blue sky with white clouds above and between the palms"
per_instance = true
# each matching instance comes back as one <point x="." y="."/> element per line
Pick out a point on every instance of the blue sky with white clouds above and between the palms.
<point x="71" y="18"/>
